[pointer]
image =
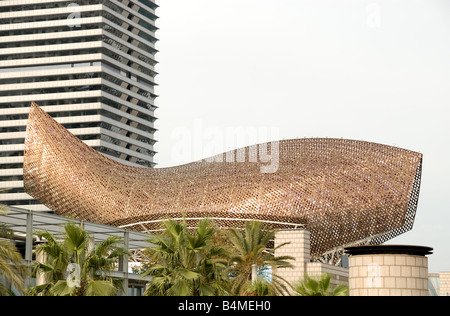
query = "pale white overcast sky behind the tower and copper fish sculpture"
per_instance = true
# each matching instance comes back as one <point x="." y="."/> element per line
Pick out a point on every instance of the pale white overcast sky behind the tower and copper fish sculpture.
<point x="375" y="70"/>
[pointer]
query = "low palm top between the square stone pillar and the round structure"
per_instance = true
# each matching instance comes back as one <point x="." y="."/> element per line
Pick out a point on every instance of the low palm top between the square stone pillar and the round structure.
<point x="320" y="287"/>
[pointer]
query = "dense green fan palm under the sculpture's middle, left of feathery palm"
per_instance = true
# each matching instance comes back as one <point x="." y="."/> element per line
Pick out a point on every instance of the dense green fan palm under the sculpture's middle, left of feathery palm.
<point x="187" y="263"/>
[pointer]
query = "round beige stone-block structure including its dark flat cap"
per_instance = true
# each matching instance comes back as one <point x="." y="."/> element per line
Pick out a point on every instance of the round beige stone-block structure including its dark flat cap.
<point x="388" y="270"/>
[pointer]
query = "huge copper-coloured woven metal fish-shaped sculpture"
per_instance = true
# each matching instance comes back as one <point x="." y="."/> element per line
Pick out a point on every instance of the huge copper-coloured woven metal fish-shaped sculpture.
<point x="345" y="192"/>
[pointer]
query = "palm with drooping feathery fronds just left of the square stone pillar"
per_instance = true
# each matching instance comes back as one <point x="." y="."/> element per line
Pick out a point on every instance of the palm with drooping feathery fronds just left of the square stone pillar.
<point x="251" y="248"/>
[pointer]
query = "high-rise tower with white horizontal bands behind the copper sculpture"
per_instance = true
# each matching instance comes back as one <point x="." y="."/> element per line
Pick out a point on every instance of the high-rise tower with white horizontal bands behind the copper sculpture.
<point x="88" y="63"/>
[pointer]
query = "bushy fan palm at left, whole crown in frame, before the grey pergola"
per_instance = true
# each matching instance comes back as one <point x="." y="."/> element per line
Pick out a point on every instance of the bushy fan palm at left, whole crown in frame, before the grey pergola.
<point x="74" y="266"/>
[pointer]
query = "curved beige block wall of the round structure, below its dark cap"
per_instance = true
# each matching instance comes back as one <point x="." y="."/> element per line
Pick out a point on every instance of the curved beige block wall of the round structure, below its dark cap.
<point x="388" y="275"/>
